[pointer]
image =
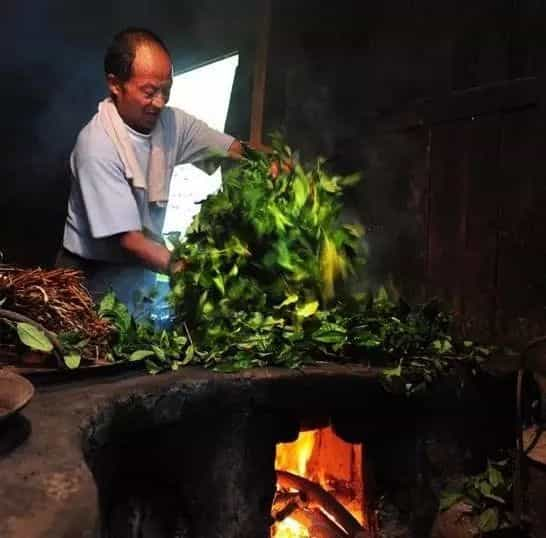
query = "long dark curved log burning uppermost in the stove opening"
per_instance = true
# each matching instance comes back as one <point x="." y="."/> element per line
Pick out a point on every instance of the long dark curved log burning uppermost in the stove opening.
<point x="315" y="497"/>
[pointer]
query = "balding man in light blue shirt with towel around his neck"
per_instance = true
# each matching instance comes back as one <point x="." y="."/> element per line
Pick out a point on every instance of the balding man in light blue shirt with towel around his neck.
<point x="121" y="169"/>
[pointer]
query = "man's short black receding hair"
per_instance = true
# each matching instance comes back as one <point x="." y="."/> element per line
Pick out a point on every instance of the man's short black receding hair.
<point x="121" y="53"/>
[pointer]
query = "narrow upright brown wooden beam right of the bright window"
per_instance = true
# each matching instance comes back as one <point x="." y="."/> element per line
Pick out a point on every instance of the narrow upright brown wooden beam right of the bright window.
<point x="260" y="74"/>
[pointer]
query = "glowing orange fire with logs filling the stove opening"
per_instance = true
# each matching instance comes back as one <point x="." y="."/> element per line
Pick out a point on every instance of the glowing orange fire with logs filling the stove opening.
<point x="320" y="489"/>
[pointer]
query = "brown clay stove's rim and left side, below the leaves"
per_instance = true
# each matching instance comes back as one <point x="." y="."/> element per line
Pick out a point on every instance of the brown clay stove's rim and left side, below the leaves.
<point x="46" y="487"/>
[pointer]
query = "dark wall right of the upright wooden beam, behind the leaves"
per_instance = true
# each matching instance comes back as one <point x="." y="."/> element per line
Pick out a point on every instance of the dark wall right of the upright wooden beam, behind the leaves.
<point x="441" y="106"/>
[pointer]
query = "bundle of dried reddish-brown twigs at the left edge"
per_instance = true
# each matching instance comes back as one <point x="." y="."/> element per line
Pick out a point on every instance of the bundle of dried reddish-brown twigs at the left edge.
<point x="56" y="298"/>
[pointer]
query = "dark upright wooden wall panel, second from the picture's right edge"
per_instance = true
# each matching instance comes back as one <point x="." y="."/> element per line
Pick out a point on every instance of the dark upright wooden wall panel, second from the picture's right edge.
<point x="463" y="209"/>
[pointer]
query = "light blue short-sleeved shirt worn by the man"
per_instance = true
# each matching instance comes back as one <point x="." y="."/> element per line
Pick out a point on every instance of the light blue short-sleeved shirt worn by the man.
<point x="102" y="201"/>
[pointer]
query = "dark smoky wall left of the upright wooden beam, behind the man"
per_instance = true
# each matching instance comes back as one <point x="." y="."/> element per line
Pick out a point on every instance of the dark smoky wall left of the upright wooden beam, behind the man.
<point x="51" y="71"/>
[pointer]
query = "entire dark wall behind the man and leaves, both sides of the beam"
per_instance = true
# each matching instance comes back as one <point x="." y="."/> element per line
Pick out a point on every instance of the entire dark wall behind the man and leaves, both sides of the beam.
<point x="439" y="104"/>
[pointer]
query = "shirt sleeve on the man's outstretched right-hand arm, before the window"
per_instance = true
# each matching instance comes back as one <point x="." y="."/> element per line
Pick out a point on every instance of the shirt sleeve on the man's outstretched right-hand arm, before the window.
<point x="197" y="141"/>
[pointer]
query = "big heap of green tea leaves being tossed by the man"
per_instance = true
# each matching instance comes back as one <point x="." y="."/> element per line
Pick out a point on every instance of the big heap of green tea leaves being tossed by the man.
<point x="271" y="266"/>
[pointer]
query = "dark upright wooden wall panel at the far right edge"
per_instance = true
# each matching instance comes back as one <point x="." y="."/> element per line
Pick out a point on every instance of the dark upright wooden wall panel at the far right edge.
<point x="521" y="281"/>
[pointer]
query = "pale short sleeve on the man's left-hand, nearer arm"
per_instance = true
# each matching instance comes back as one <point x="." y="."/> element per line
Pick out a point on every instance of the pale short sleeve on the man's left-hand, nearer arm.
<point x="107" y="196"/>
